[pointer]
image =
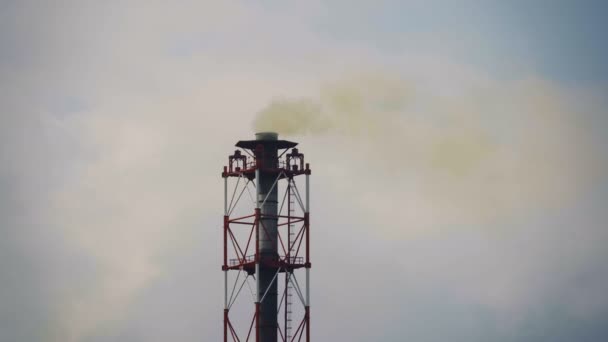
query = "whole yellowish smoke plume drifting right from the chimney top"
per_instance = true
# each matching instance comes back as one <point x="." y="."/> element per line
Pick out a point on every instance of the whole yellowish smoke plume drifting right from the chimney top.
<point x="474" y="157"/>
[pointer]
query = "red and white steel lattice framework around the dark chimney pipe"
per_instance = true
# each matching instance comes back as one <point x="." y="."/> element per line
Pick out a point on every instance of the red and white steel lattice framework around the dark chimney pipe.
<point x="242" y="234"/>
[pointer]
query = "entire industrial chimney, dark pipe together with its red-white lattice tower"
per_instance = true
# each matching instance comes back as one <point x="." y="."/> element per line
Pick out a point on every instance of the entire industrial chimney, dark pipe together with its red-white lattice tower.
<point x="276" y="233"/>
